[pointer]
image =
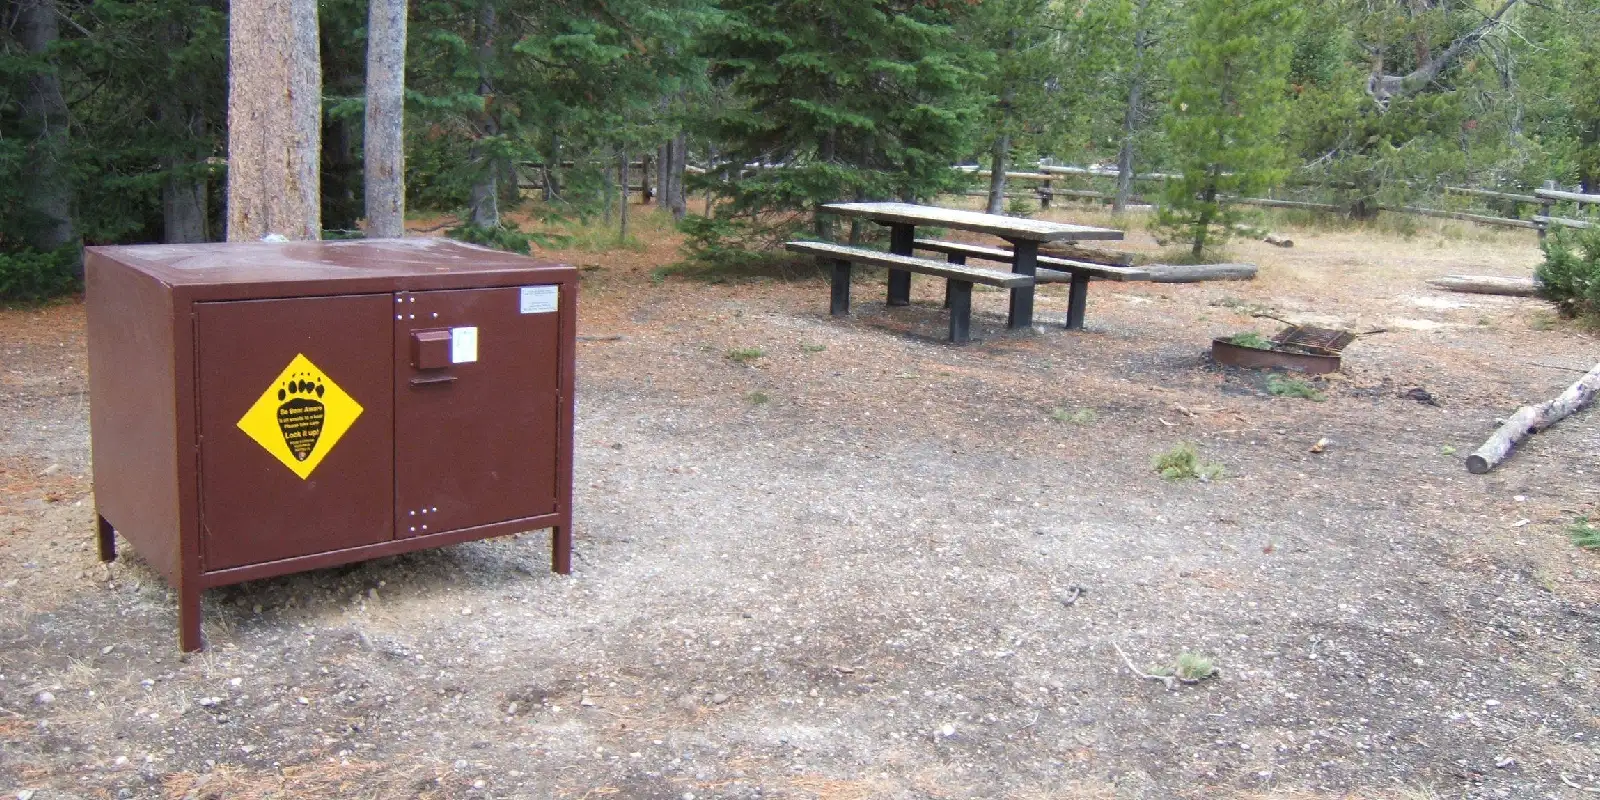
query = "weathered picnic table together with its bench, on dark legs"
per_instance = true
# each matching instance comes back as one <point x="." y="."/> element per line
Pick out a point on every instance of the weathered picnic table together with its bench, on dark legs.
<point x="1025" y="236"/>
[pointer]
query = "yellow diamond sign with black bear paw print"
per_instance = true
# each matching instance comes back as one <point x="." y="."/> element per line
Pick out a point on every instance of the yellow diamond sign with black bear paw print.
<point x="302" y="417"/>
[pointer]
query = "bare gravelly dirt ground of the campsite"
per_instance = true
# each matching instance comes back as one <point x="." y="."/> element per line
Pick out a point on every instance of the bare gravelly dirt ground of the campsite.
<point x="874" y="566"/>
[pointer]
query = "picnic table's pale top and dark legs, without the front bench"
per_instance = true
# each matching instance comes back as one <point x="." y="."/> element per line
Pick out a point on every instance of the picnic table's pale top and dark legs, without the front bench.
<point x="1025" y="236"/>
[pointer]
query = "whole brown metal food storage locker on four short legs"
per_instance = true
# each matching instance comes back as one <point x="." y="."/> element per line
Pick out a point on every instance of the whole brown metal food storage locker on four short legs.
<point x="268" y="409"/>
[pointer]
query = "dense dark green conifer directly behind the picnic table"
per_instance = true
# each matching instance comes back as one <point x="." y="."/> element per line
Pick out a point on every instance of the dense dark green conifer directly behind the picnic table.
<point x="838" y="100"/>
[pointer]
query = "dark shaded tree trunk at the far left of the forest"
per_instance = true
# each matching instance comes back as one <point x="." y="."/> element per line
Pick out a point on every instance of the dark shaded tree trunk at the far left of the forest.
<point x="47" y="186"/>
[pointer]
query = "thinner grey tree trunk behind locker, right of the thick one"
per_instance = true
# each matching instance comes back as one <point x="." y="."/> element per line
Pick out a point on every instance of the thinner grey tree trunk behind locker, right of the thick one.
<point x="385" y="143"/>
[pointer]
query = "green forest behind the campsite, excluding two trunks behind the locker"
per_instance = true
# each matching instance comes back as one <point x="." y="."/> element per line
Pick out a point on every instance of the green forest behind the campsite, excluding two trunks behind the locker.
<point x="114" y="113"/>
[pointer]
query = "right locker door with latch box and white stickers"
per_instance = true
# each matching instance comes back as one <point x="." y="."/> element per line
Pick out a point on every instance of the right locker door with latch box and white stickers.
<point x="476" y="407"/>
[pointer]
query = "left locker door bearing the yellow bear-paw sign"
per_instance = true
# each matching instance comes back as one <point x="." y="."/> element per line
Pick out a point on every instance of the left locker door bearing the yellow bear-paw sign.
<point x="297" y="415"/>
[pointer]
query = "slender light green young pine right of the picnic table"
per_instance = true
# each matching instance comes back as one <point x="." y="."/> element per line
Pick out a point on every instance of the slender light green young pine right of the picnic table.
<point x="1228" y="111"/>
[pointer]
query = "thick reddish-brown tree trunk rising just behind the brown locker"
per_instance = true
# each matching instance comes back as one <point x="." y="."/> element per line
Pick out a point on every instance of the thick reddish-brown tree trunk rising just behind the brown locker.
<point x="274" y="114"/>
